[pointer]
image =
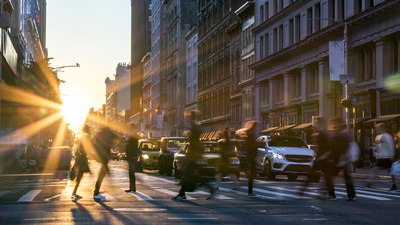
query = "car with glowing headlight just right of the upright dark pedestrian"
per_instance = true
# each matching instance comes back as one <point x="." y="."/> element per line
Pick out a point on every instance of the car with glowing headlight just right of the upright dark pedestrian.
<point x="150" y="153"/>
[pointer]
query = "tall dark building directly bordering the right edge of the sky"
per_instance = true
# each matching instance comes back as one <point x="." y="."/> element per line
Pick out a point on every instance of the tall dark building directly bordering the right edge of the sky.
<point x="140" y="45"/>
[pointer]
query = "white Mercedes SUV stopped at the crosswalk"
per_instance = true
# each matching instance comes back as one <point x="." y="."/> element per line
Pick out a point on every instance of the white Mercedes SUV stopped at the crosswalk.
<point x="284" y="155"/>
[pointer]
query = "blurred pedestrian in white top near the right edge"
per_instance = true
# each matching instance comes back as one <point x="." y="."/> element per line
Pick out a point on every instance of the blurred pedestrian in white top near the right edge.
<point x="385" y="154"/>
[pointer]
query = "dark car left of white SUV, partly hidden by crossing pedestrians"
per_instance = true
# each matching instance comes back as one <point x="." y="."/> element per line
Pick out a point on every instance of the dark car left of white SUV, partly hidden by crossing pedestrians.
<point x="208" y="163"/>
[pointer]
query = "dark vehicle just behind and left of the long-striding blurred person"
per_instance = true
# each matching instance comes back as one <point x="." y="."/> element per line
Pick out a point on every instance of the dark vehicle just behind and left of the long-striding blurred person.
<point x="169" y="146"/>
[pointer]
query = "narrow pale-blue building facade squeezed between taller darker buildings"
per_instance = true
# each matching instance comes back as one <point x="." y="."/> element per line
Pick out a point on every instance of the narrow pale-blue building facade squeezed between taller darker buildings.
<point x="191" y="70"/>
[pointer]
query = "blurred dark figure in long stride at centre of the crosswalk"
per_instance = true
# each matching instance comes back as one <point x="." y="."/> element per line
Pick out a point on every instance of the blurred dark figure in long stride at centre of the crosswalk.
<point x="191" y="175"/>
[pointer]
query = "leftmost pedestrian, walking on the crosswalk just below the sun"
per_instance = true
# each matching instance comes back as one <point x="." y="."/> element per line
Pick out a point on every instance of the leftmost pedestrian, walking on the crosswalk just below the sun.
<point x="81" y="165"/>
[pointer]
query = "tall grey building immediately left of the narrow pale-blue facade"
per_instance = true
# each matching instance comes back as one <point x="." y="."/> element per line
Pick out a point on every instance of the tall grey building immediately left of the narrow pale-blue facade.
<point x="177" y="20"/>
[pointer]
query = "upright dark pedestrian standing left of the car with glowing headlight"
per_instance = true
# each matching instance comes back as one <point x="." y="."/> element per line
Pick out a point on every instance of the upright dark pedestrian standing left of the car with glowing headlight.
<point x="133" y="156"/>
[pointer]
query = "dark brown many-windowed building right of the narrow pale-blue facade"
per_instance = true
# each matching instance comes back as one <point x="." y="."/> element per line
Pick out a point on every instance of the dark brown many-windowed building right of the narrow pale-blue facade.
<point x="214" y="79"/>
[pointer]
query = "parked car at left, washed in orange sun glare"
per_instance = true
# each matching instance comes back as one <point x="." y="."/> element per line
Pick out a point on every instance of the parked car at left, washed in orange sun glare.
<point x="62" y="155"/>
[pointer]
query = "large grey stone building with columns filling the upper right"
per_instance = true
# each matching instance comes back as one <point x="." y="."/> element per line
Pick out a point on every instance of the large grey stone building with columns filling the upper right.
<point x="292" y="72"/>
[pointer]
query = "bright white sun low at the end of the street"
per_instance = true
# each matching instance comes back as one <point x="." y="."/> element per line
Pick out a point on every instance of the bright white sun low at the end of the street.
<point x="74" y="110"/>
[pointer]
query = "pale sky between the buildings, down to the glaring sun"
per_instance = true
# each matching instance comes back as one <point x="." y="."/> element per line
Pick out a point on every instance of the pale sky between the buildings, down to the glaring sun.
<point x="95" y="34"/>
